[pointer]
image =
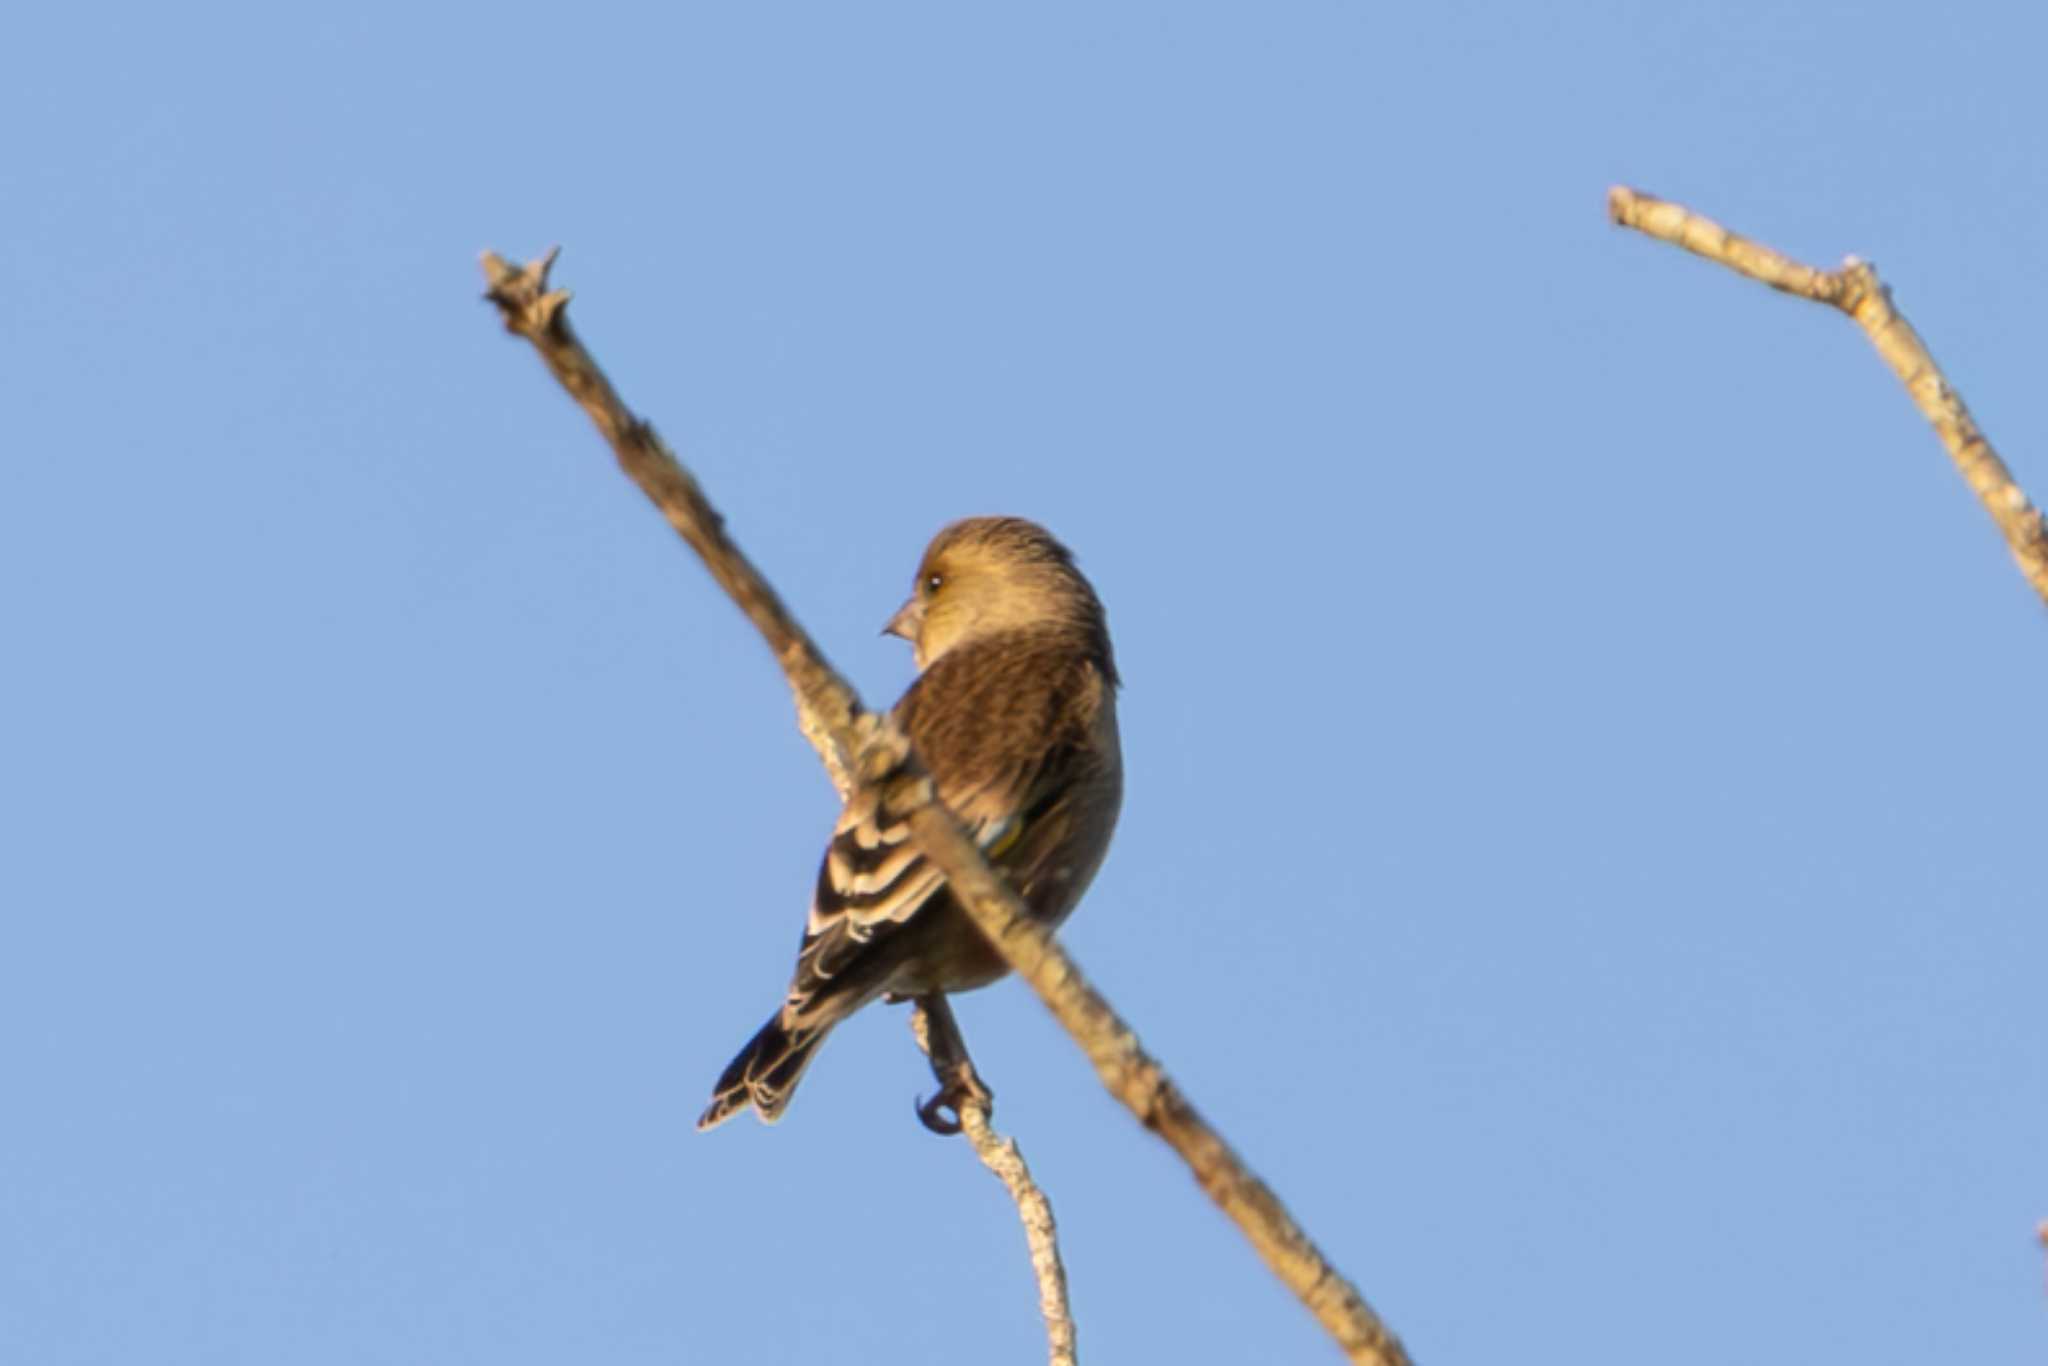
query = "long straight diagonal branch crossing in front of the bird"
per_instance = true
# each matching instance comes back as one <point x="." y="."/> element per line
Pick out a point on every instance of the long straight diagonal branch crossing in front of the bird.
<point x="833" y="718"/>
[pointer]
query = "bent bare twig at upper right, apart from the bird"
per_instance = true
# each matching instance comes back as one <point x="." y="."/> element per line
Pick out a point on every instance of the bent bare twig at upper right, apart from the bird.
<point x="1863" y="296"/>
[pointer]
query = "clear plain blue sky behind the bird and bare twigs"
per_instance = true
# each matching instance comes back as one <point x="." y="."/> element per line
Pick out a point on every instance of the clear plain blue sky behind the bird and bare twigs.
<point x="1584" y="742"/>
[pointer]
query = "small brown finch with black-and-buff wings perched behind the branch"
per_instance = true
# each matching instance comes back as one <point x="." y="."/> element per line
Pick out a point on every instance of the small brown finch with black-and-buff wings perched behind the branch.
<point x="1015" y="718"/>
